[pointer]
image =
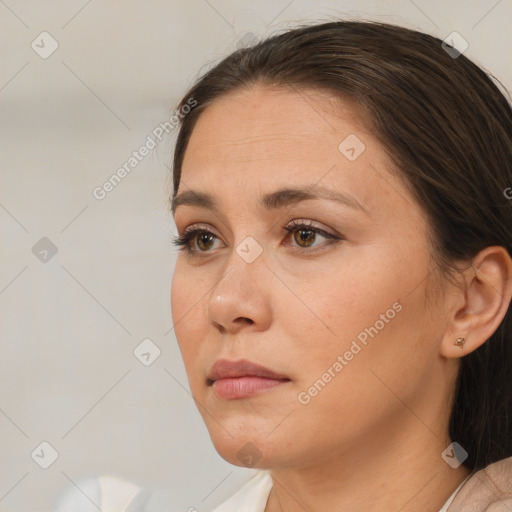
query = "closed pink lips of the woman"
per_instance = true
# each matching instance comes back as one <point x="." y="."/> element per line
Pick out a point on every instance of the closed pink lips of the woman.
<point x="231" y="380"/>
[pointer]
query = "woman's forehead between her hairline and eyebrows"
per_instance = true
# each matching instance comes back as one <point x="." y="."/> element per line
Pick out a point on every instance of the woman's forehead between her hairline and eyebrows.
<point x="256" y="140"/>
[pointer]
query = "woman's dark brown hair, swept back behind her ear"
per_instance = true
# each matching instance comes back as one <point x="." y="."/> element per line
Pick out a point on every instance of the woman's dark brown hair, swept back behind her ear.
<point x="447" y="128"/>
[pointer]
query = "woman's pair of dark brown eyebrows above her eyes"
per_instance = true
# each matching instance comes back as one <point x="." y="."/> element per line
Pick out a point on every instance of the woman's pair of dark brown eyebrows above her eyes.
<point x="279" y="199"/>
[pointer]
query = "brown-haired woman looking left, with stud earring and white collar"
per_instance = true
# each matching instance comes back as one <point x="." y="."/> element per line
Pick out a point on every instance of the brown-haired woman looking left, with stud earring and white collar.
<point x="342" y="294"/>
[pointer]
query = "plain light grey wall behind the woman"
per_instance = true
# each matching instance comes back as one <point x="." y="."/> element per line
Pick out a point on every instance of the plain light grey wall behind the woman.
<point x="69" y="326"/>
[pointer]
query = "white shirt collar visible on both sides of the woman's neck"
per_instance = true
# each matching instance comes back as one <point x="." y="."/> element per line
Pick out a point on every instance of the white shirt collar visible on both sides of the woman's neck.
<point x="253" y="496"/>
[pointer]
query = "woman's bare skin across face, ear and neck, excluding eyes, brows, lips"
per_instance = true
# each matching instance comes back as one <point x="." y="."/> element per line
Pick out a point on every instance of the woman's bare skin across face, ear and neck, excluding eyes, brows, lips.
<point x="372" y="438"/>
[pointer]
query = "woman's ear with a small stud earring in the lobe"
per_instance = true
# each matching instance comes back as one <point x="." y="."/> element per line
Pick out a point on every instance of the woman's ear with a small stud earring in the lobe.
<point x="481" y="302"/>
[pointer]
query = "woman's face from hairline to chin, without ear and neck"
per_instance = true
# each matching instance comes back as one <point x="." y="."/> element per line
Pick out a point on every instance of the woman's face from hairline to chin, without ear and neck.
<point x="337" y="307"/>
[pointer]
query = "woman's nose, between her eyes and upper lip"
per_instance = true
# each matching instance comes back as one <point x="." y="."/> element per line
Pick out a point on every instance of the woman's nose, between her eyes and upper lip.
<point x="240" y="299"/>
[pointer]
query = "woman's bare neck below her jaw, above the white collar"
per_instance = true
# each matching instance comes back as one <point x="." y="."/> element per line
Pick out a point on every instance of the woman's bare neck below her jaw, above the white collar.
<point x="405" y="473"/>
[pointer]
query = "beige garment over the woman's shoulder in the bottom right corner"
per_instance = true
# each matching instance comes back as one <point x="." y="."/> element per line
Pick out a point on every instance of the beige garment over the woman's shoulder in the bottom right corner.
<point x="487" y="490"/>
